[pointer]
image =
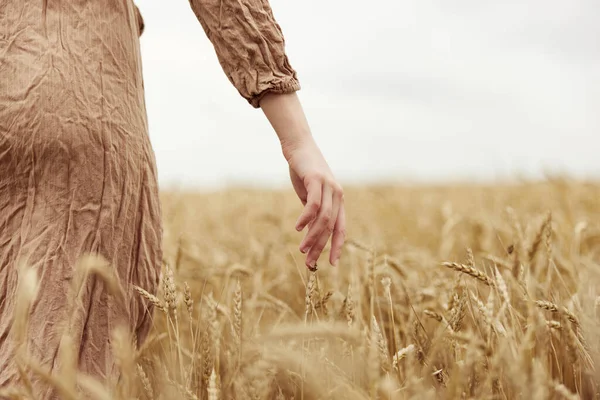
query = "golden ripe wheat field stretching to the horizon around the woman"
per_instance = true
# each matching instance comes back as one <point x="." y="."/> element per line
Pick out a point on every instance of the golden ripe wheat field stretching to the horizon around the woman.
<point x="452" y="292"/>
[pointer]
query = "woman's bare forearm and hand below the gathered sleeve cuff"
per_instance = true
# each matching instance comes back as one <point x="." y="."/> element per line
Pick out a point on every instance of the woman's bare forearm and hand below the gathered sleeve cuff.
<point x="311" y="177"/>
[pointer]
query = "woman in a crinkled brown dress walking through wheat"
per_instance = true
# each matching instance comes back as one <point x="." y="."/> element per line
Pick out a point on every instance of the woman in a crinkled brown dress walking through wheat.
<point x="77" y="170"/>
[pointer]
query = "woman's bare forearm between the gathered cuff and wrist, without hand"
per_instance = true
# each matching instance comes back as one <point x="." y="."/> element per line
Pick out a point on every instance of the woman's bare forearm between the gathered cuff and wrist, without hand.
<point x="285" y="113"/>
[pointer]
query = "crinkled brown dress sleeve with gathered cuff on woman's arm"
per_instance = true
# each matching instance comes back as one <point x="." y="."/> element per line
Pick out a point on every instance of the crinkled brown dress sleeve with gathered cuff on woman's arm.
<point x="249" y="44"/>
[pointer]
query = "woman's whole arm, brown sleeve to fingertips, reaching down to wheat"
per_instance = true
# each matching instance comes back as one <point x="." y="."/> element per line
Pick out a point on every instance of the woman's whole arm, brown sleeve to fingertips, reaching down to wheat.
<point x="251" y="50"/>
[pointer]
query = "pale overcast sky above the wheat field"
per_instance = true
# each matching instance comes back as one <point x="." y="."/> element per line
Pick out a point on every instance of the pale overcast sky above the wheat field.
<point x="393" y="90"/>
